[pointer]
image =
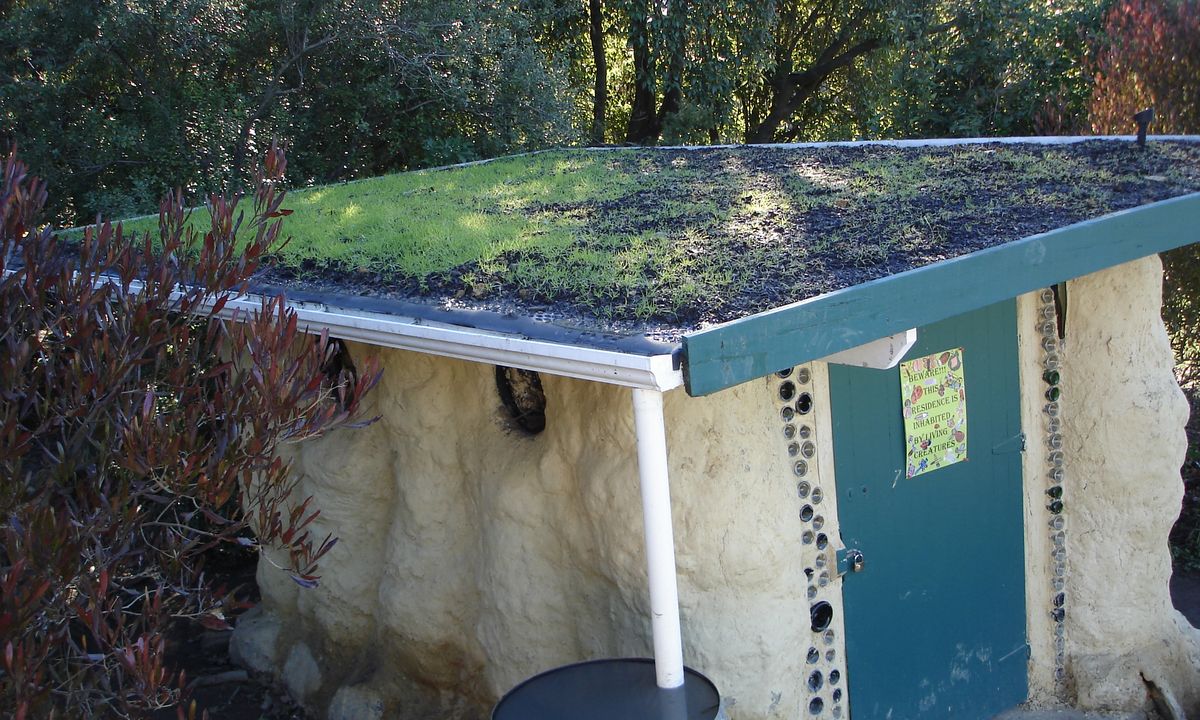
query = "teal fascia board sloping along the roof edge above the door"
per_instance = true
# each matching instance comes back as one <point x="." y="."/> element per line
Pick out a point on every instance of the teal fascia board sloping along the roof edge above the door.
<point x="740" y="351"/>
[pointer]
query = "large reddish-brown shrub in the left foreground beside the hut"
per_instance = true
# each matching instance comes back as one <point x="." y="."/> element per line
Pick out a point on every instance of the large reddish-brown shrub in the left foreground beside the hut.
<point x="139" y="430"/>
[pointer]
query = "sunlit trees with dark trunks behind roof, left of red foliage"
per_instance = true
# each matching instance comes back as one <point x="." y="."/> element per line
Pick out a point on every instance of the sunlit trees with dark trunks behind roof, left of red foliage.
<point x="701" y="71"/>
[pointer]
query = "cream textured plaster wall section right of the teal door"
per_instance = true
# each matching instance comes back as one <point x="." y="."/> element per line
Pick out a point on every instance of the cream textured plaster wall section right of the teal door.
<point x="1124" y="419"/>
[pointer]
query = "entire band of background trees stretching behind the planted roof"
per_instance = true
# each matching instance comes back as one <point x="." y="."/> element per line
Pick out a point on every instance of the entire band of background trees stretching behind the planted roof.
<point x="117" y="103"/>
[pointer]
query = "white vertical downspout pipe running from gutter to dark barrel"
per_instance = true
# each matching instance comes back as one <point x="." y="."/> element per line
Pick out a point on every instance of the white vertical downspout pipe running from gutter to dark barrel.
<point x="652" y="470"/>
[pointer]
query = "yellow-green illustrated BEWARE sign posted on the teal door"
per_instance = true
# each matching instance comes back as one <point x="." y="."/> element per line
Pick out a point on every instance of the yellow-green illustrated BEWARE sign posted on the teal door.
<point x="935" y="412"/>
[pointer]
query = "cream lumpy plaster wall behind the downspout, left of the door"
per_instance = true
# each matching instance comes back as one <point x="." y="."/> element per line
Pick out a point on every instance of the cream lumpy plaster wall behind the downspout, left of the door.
<point x="473" y="557"/>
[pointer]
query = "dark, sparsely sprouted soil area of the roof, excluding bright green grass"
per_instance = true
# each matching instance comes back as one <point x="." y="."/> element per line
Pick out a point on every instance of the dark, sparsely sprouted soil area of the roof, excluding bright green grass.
<point x="845" y="215"/>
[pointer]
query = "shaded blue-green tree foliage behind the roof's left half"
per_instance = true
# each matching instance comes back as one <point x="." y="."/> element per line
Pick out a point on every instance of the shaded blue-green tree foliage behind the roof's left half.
<point x="116" y="103"/>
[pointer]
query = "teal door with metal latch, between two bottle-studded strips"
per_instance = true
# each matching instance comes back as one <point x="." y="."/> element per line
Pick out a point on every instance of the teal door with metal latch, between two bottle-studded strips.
<point x="935" y="620"/>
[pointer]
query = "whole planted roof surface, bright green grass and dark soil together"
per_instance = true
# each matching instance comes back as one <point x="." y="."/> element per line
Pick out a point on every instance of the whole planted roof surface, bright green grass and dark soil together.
<point x="703" y="235"/>
